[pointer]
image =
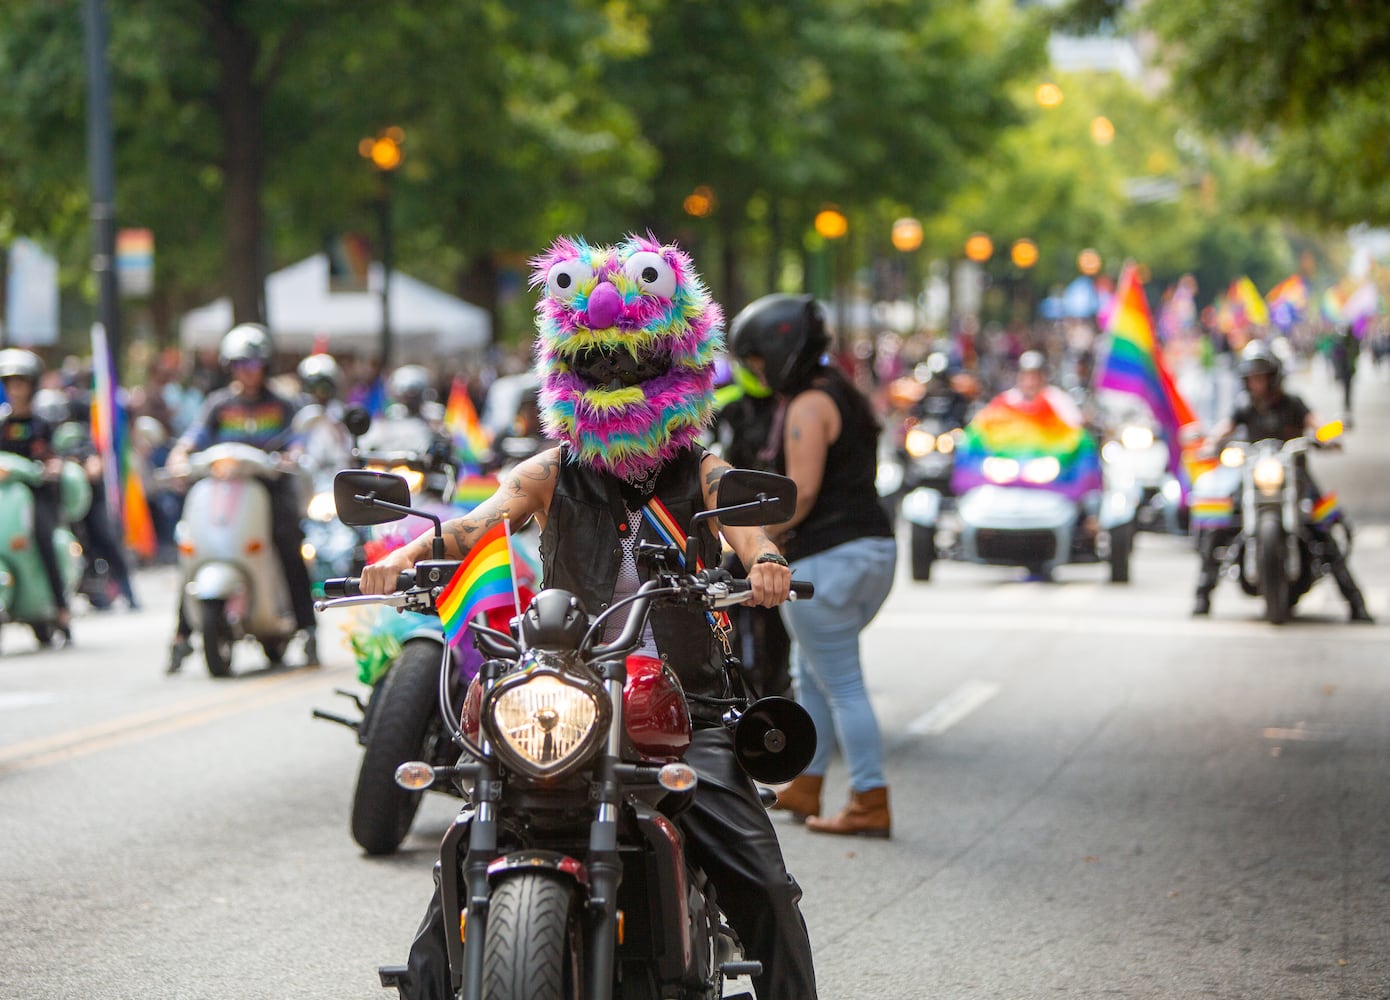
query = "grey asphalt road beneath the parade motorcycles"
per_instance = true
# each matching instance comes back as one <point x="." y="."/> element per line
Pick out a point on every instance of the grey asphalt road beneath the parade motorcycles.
<point x="1093" y="795"/>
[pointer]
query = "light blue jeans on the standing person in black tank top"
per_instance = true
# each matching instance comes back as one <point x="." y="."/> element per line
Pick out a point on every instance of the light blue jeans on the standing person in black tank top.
<point x="853" y="582"/>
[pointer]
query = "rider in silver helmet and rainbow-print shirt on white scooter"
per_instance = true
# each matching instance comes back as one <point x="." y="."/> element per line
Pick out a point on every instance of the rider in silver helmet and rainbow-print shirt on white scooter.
<point x="250" y="412"/>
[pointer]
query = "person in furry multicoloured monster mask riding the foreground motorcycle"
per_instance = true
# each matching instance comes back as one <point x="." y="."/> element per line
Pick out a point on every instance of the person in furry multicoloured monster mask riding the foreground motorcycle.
<point x="629" y="422"/>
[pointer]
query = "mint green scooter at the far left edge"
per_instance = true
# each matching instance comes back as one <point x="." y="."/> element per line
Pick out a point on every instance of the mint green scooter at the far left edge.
<point x="26" y="597"/>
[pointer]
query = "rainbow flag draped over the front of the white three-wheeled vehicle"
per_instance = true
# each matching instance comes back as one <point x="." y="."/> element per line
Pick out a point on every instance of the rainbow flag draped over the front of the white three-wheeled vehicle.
<point x="1021" y="443"/>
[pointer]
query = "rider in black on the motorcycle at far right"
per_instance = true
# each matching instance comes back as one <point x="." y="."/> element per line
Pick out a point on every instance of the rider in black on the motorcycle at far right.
<point x="1267" y="411"/>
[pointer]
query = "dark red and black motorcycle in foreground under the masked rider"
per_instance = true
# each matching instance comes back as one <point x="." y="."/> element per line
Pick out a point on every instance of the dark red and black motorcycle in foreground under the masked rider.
<point x="565" y="871"/>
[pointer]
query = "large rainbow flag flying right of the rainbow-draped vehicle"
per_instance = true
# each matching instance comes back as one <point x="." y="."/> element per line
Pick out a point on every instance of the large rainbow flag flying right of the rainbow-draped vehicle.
<point x="1135" y="365"/>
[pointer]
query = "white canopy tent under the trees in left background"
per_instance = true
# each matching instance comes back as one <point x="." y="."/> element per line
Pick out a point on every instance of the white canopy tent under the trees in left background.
<point x="426" y="325"/>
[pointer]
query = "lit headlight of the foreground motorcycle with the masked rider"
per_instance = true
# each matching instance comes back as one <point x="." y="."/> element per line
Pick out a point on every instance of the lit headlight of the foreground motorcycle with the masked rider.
<point x="544" y="723"/>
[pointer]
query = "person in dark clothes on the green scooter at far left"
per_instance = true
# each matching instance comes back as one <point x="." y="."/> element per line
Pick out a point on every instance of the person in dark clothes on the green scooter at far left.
<point x="27" y="435"/>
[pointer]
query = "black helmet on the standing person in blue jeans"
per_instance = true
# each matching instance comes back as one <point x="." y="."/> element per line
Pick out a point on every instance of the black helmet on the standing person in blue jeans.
<point x="787" y="333"/>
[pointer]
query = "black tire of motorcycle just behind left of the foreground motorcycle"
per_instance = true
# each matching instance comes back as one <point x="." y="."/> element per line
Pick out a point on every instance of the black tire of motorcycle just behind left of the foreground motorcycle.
<point x="404" y="728"/>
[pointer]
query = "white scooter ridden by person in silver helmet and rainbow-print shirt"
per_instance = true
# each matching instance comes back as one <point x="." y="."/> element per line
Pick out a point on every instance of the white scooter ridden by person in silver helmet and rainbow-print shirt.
<point x="234" y="585"/>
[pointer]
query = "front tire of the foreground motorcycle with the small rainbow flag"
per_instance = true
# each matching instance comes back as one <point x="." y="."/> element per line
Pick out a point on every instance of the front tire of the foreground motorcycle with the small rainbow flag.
<point x="533" y="949"/>
